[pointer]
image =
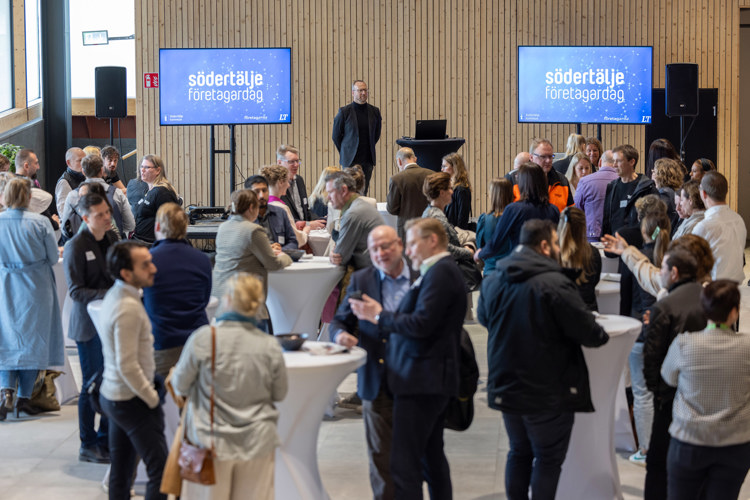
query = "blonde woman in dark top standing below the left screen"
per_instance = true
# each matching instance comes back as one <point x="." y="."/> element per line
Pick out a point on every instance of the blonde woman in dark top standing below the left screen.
<point x="160" y="191"/>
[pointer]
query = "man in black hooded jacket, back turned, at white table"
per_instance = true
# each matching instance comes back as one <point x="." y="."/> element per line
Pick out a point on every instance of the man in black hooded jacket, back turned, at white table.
<point x="537" y="373"/>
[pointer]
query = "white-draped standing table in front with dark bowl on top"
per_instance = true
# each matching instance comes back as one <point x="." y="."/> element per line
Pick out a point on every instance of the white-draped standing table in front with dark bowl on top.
<point x="312" y="380"/>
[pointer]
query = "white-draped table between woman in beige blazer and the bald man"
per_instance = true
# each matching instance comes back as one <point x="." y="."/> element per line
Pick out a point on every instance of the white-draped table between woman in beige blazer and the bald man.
<point x="297" y="294"/>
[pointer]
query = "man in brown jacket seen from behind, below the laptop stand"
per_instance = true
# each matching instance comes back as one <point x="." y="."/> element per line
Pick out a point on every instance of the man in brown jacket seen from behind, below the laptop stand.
<point x="406" y="200"/>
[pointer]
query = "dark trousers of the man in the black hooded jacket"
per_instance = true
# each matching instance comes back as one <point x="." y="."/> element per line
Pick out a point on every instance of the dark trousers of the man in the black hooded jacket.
<point x="538" y="444"/>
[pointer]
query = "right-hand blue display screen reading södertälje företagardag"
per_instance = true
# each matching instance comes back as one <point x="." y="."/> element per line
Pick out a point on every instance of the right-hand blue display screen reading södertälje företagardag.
<point x="584" y="84"/>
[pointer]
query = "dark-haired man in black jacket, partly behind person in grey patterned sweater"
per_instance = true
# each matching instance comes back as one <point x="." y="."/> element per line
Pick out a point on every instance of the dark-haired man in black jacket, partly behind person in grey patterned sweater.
<point x="678" y="312"/>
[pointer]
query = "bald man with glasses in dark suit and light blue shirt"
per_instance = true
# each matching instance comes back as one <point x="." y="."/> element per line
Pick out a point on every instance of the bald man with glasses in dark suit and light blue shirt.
<point x="386" y="281"/>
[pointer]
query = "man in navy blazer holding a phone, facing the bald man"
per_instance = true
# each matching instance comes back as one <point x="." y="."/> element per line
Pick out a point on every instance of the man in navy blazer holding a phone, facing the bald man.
<point x="421" y="360"/>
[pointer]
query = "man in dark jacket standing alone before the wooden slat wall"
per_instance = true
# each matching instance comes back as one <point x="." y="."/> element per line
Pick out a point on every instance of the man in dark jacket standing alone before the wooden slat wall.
<point x="356" y="130"/>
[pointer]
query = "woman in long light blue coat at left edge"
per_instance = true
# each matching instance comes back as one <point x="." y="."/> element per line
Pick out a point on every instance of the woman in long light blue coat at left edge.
<point x="31" y="336"/>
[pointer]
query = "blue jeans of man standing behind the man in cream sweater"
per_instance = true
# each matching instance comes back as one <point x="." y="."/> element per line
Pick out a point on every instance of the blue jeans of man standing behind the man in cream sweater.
<point x="92" y="360"/>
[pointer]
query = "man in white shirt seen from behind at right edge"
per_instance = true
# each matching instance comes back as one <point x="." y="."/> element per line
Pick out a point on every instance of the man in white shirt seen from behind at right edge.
<point x="723" y="228"/>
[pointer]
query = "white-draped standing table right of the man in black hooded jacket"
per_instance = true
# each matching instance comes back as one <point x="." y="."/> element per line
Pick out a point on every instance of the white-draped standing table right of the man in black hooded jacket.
<point x="590" y="469"/>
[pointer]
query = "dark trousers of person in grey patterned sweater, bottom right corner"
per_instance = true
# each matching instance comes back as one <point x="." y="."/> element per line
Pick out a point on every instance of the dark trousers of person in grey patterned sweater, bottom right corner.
<point x="706" y="471"/>
